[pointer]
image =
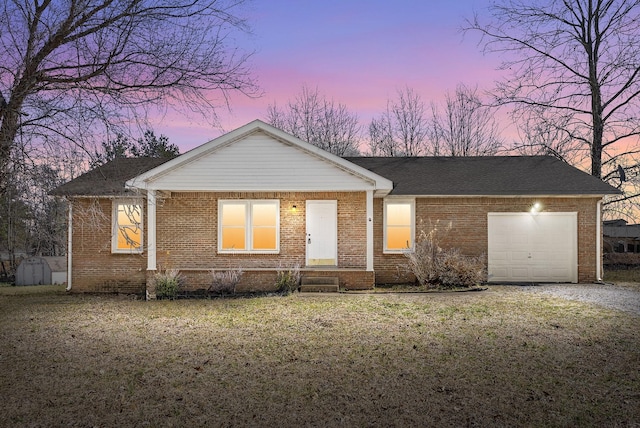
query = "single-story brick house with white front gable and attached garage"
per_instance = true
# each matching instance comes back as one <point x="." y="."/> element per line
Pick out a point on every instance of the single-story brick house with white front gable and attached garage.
<point x="258" y="198"/>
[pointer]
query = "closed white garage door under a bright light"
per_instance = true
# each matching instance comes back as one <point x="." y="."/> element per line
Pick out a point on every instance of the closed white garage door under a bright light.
<point x="526" y="247"/>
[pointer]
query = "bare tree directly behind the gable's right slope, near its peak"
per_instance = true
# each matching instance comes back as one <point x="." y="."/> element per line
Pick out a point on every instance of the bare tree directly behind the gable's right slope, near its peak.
<point x="318" y="121"/>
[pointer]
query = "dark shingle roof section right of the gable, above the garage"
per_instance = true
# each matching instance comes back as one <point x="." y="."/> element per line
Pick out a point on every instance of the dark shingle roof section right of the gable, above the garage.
<point x="488" y="175"/>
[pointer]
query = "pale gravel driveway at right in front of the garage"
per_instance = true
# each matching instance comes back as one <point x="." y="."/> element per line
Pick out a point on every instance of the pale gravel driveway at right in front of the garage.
<point x="612" y="296"/>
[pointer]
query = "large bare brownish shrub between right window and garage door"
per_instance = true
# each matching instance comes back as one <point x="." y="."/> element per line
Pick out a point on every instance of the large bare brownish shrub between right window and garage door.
<point x="435" y="267"/>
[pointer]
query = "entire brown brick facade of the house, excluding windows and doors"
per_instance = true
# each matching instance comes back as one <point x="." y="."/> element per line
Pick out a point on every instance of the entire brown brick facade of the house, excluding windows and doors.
<point x="187" y="233"/>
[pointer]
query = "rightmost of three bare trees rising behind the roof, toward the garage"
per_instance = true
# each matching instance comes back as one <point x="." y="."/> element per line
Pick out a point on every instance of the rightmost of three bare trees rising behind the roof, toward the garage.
<point x="465" y="127"/>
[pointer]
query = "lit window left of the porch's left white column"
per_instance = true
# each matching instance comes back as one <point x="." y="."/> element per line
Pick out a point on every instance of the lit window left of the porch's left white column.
<point x="127" y="227"/>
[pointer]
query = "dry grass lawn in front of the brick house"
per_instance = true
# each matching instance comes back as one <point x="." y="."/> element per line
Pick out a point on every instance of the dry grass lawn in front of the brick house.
<point x="497" y="357"/>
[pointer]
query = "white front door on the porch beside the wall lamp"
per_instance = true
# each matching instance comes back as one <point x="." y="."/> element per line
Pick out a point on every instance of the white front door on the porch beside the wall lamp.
<point x="322" y="233"/>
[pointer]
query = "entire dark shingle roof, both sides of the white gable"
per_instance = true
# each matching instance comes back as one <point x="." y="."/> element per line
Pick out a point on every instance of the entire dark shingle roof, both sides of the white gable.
<point x="429" y="176"/>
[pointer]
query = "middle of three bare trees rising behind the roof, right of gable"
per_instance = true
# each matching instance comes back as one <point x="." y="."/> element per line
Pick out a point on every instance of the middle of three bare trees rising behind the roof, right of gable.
<point x="401" y="130"/>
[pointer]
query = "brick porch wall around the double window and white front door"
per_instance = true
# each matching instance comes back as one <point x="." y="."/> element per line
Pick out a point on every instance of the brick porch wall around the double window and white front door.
<point x="187" y="231"/>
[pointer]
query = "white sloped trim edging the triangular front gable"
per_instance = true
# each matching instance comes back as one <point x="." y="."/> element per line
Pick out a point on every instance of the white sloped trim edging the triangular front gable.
<point x="370" y="180"/>
